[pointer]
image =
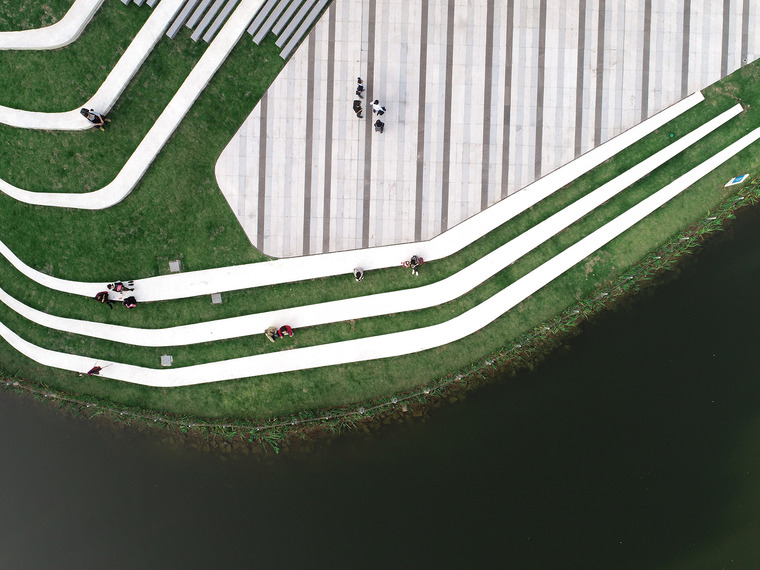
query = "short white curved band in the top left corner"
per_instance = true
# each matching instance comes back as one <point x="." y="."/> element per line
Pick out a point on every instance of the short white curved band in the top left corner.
<point x="60" y="34"/>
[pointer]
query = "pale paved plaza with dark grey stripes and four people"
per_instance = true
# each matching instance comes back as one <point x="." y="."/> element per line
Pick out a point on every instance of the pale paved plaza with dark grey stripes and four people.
<point x="483" y="98"/>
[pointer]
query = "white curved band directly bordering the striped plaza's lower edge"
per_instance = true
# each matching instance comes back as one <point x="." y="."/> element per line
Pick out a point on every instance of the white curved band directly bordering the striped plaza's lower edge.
<point x="206" y="282"/>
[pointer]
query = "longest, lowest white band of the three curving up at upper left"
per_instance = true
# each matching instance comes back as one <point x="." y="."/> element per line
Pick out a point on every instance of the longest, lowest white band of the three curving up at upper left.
<point x="137" y="164"/>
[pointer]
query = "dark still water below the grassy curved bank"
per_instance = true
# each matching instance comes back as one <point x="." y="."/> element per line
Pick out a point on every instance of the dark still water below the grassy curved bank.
<point x="636" y="447"/>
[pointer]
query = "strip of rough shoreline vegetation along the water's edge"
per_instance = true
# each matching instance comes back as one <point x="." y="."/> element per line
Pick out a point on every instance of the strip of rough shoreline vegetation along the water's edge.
<point x="525" y="352"/>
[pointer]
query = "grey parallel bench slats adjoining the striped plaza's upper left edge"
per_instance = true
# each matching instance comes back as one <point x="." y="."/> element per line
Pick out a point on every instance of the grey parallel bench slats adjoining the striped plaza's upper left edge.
<point x="289" y="20"/>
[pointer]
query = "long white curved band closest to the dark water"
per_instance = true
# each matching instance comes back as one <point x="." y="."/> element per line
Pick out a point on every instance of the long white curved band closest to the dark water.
<point x="394" y="344"/>
